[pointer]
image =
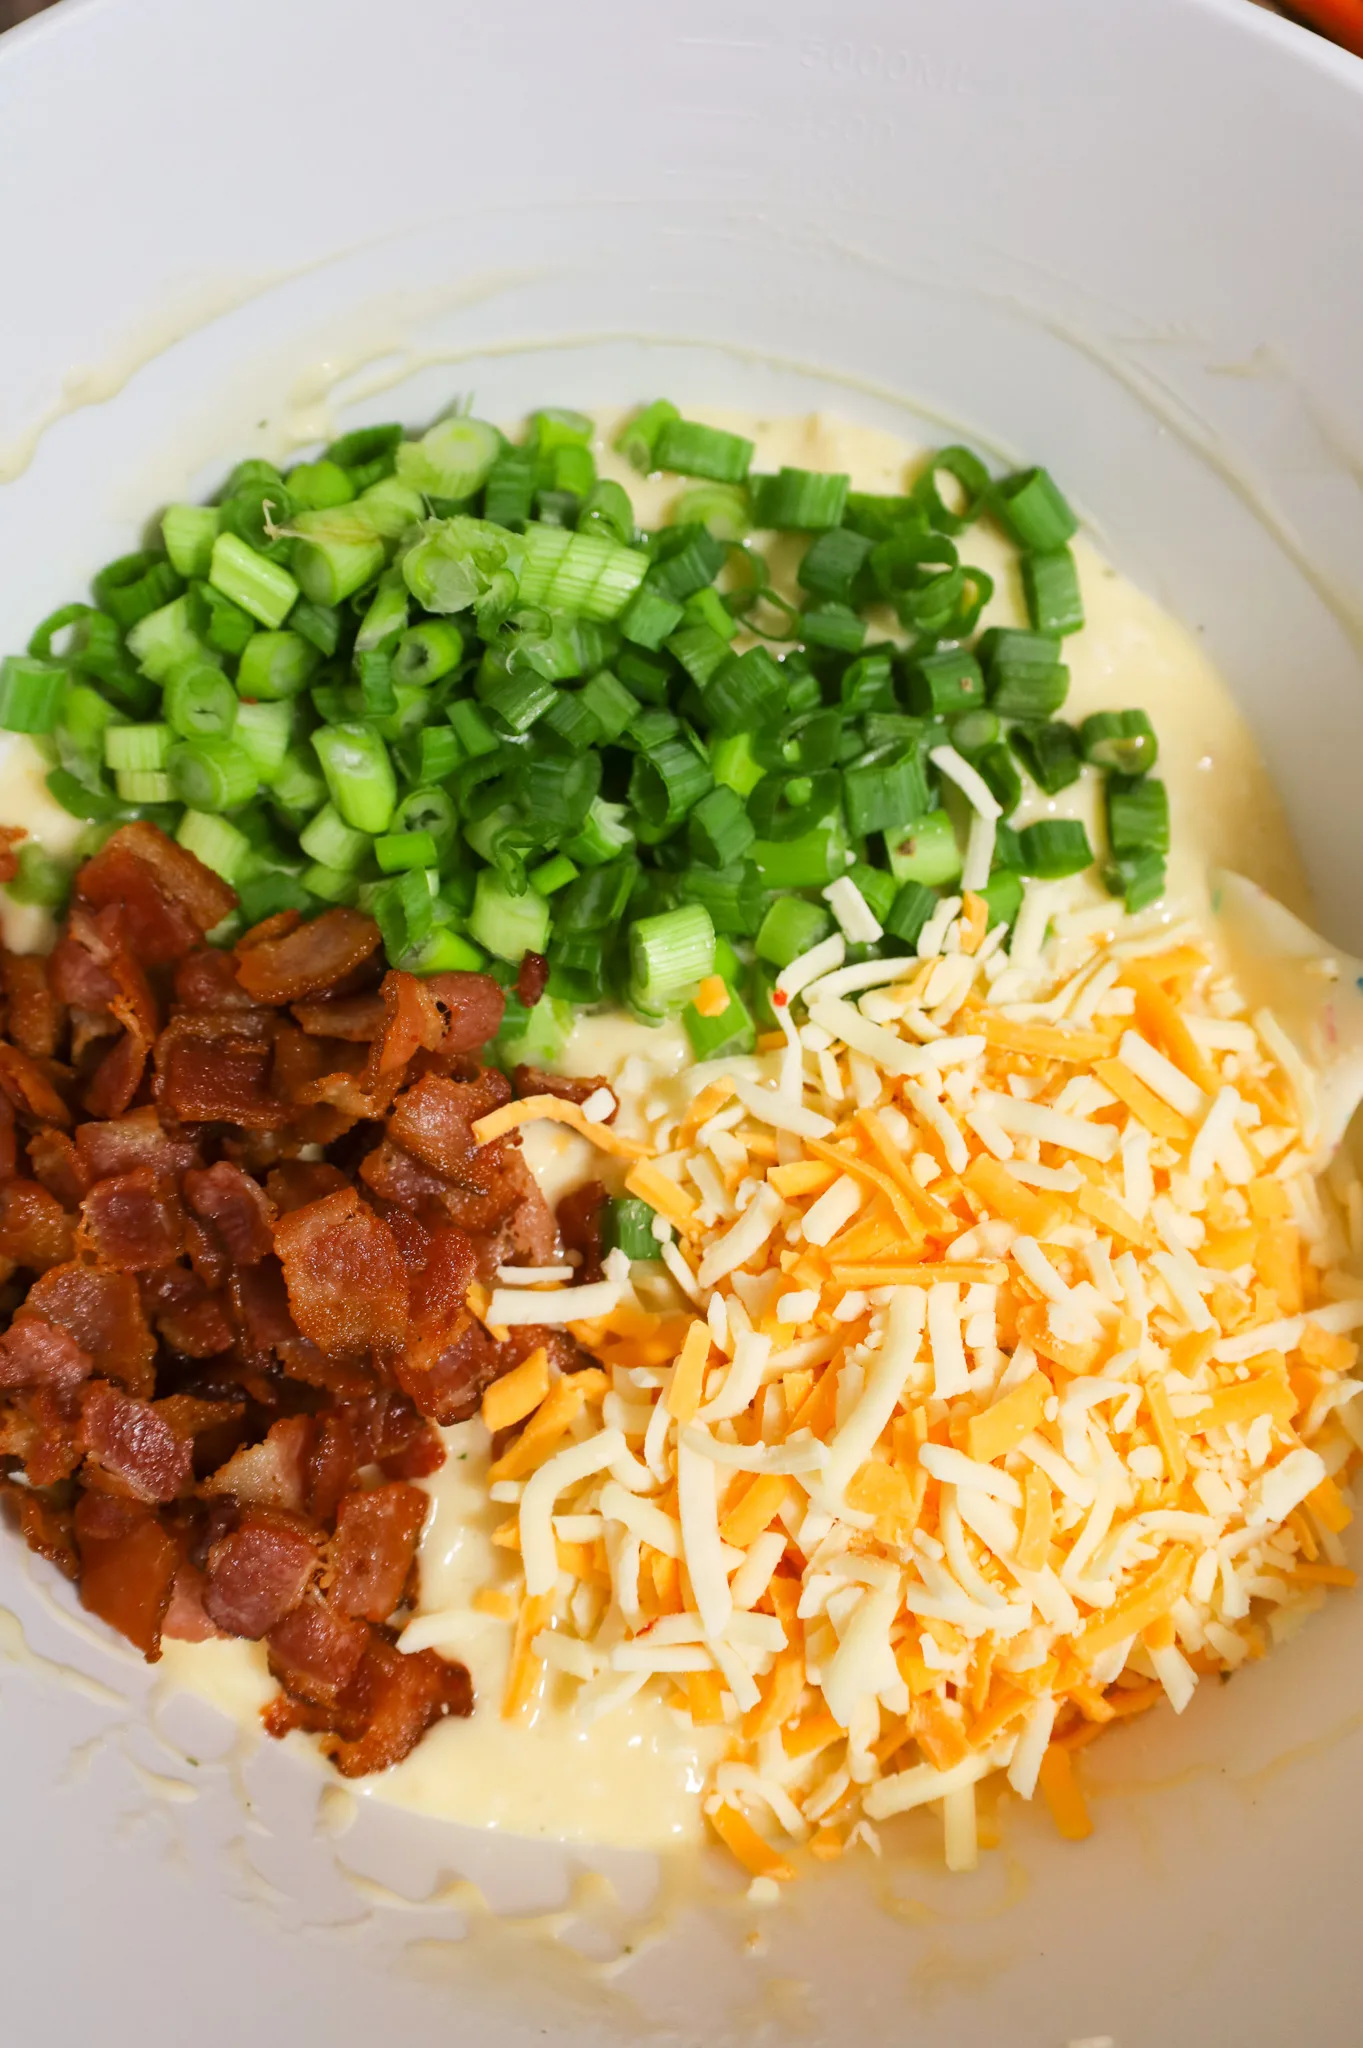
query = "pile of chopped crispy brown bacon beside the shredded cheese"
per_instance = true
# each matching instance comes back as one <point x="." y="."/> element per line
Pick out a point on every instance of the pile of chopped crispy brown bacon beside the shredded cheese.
<point x="247" y="1203"/>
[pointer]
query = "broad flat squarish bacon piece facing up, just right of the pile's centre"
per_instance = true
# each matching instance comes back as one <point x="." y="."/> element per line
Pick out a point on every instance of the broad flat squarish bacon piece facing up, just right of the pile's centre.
<point x="345" y="1275"/>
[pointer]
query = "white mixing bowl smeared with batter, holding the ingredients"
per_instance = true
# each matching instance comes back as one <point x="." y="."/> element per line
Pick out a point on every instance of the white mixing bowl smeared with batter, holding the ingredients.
<point x="1120" y="237"/>
